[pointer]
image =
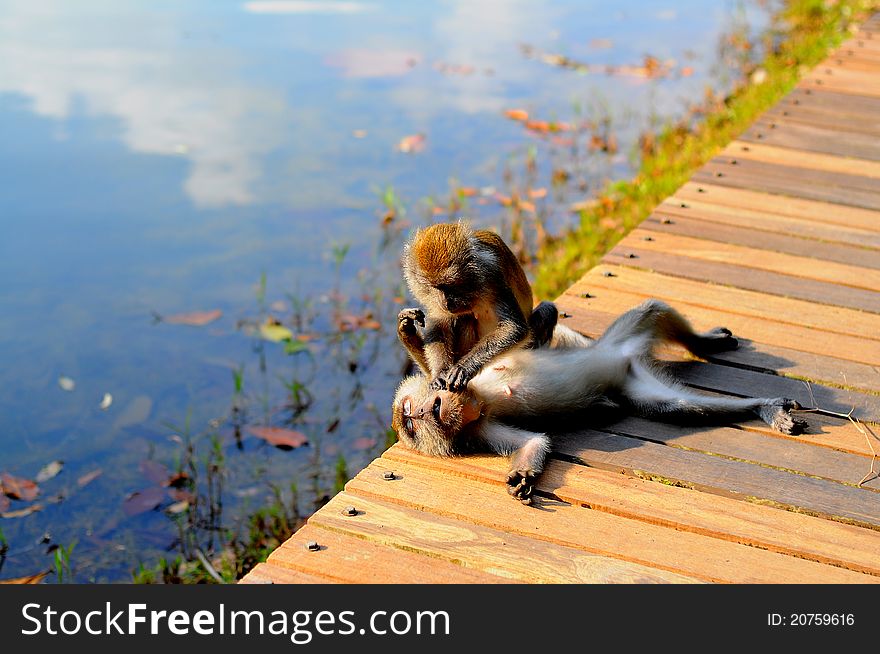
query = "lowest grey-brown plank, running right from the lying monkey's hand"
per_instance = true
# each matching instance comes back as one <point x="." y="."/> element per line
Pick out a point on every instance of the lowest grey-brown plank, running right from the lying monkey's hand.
<point x="721" y="476"/>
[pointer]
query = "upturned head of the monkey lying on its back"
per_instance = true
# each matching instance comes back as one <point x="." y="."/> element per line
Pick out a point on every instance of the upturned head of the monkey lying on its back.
<point x="430" y="421"/>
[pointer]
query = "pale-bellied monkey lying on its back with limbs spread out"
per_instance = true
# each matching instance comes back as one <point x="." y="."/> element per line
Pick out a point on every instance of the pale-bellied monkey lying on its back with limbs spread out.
<point x="570" y="376"/>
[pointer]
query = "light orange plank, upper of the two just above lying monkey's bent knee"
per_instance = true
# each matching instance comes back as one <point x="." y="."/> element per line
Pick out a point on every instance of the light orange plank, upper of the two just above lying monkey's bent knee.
<point x="786" y="311"/>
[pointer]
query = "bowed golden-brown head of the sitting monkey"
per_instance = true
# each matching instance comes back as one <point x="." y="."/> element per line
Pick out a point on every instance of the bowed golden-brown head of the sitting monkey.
<point x="443" y="268"/>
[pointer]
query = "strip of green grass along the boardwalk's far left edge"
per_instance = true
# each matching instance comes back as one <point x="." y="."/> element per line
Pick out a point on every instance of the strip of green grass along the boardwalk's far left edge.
<point x="809" y="30"/>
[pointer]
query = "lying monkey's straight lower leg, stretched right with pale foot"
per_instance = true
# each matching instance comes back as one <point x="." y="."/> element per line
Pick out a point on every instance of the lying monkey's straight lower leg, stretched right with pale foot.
<point x="655" y="396"/>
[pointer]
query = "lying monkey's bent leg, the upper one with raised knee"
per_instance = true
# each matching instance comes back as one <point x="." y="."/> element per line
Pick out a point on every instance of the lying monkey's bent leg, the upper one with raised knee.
<point x="657" y="320"/>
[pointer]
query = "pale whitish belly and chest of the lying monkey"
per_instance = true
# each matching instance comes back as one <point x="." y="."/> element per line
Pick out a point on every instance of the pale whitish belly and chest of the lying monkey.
<point x="532" y="382"/>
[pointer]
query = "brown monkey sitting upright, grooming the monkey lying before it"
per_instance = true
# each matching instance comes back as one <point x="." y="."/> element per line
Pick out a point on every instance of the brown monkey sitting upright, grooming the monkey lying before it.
<point x="477" y="299"/>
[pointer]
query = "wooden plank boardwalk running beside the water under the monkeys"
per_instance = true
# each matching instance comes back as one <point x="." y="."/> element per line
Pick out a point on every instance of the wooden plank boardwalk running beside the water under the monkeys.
<point x="778" y="238"/>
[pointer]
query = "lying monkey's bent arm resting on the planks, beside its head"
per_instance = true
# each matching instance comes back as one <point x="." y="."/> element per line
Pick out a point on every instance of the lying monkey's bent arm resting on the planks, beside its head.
<point x="528" y="451"/>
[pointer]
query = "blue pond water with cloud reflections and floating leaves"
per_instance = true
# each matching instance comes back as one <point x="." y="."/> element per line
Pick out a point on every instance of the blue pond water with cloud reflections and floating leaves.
<point x="164" y="157"/>
